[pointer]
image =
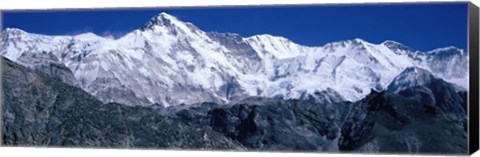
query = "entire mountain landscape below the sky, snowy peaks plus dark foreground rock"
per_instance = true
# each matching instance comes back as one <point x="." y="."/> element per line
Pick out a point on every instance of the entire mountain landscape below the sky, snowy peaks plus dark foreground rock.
<point x="175" y="86"/>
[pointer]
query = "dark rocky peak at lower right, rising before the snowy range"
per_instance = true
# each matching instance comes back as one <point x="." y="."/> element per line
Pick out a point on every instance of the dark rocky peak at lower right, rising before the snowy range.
<point x="386" y="122"/>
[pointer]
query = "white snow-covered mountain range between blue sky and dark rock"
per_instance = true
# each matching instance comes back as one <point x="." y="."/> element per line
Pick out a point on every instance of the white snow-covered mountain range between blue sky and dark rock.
<point x="169" y="61"/>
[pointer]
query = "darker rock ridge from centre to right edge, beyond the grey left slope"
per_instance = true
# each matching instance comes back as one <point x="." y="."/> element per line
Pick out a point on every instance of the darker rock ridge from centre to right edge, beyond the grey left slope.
<point x="382" y="122"/>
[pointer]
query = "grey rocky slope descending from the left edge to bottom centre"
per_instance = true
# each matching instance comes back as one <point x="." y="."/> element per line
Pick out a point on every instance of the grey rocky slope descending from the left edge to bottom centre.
<point x="41" y="111"/>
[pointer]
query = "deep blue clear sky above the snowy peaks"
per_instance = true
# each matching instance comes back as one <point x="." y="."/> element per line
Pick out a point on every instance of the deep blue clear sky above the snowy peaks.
<point x="421" y="26"/>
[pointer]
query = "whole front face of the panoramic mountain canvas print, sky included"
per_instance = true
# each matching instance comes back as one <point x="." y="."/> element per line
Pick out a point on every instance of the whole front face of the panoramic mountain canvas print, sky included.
<point x="369" y="78"/>
